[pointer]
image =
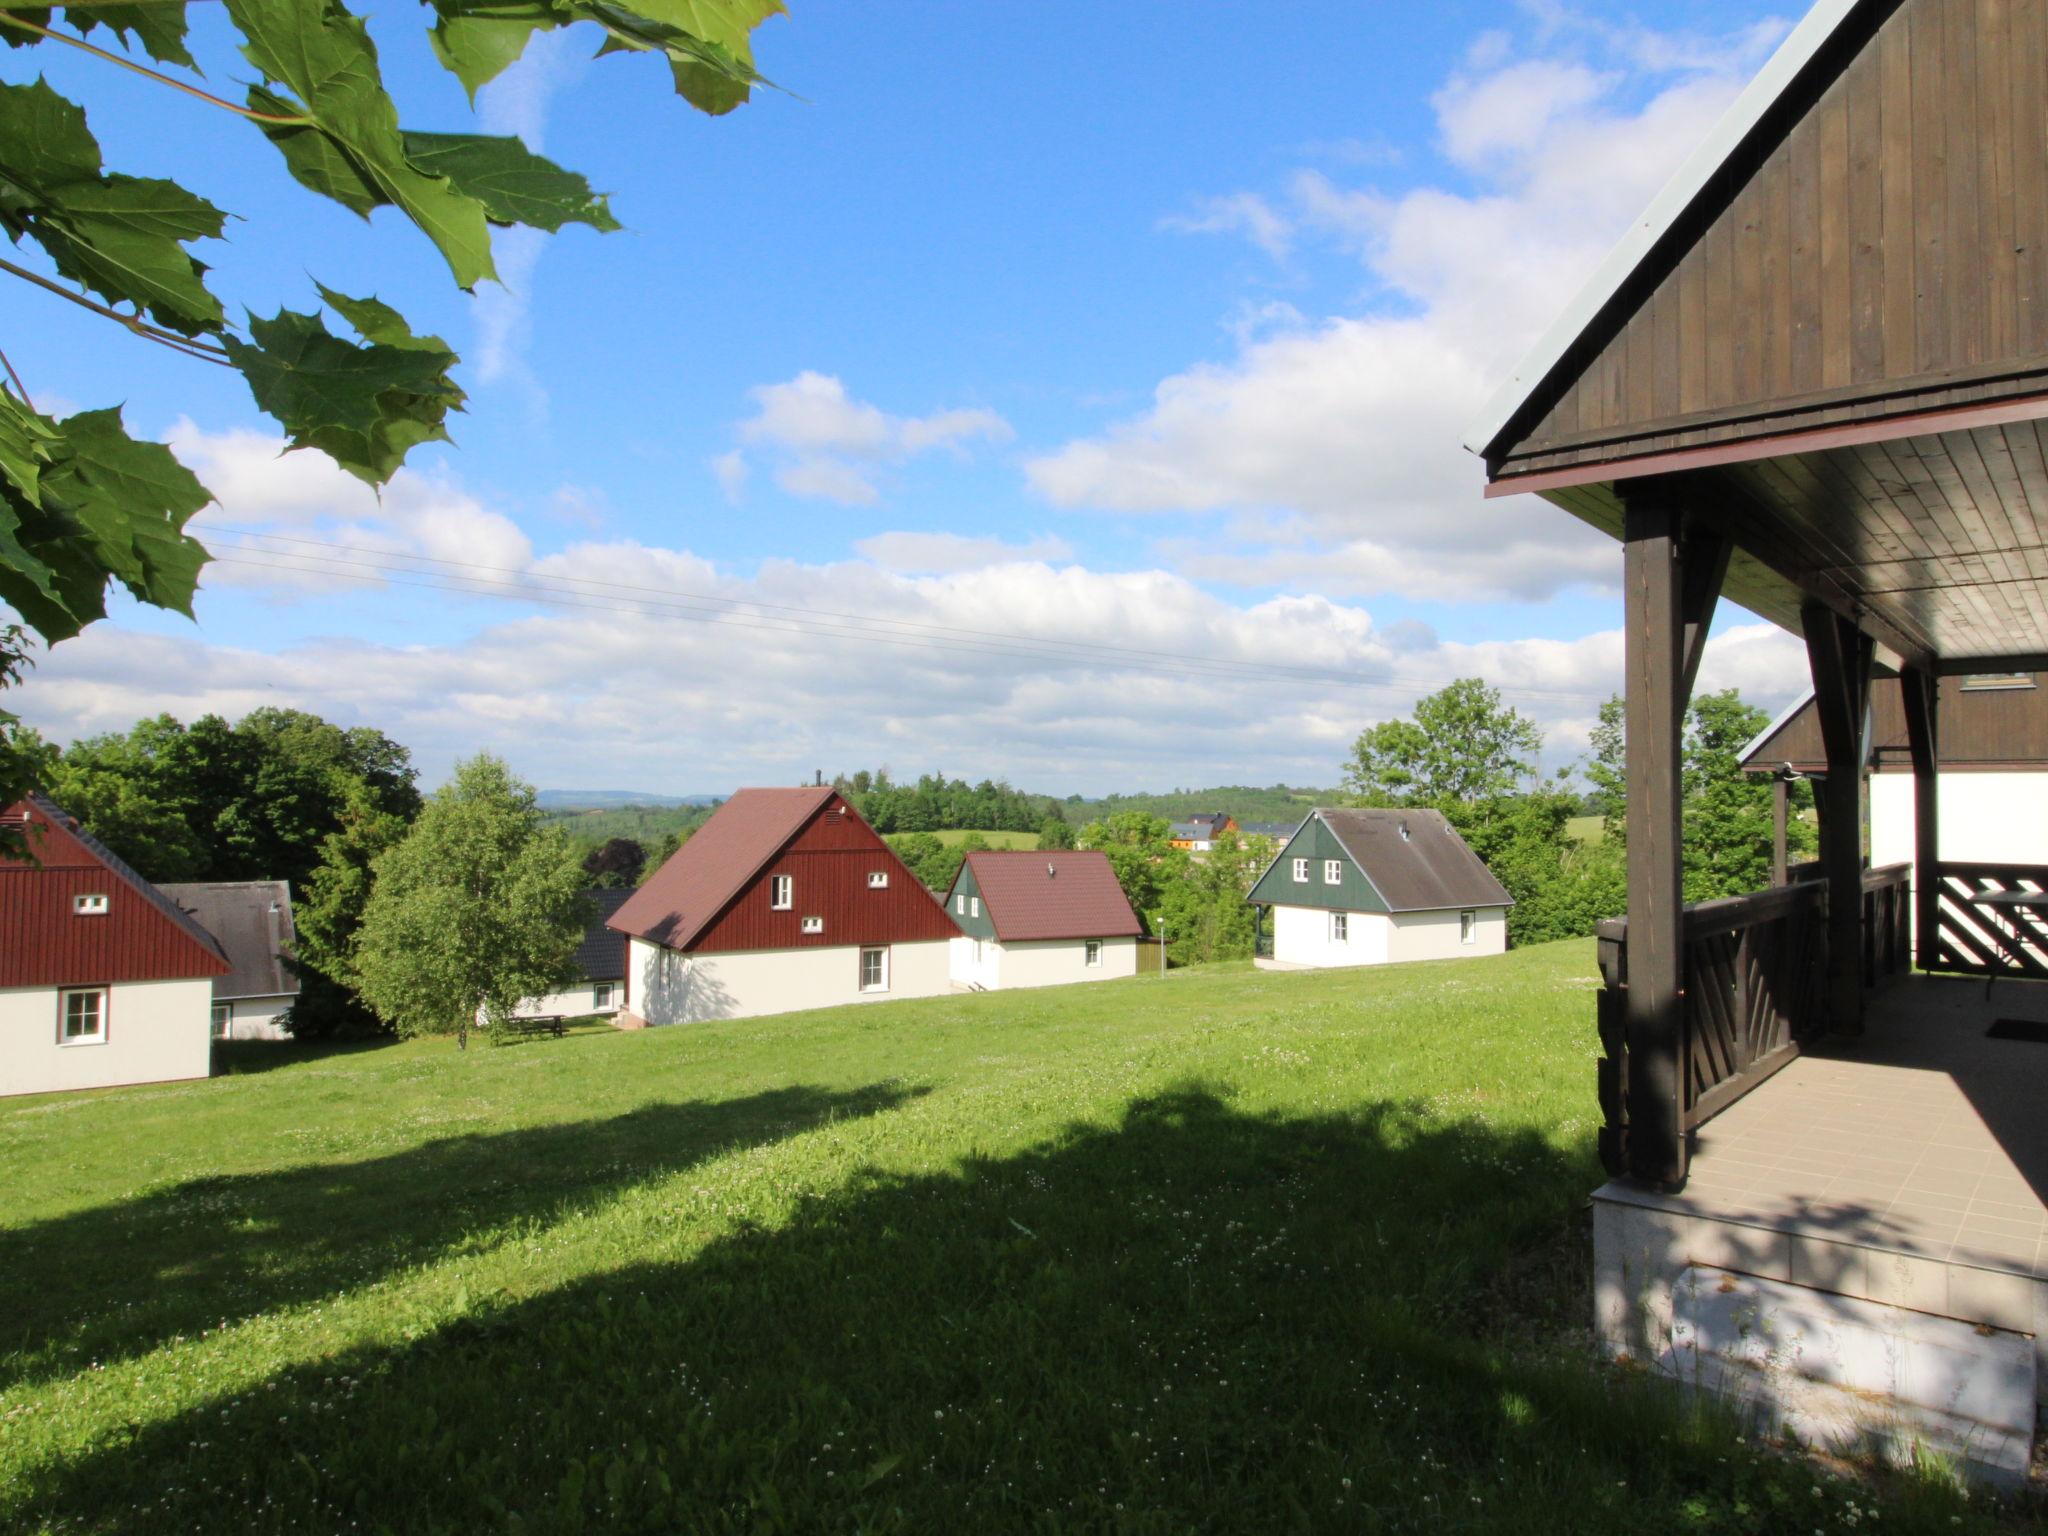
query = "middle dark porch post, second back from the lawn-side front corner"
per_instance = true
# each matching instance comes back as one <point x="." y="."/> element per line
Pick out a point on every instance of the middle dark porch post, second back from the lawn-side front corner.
<point x="1842" y="658"/>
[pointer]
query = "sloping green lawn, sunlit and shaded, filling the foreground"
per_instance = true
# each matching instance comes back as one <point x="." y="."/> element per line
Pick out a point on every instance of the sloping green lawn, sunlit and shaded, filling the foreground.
<point x="1215" y="1250"/>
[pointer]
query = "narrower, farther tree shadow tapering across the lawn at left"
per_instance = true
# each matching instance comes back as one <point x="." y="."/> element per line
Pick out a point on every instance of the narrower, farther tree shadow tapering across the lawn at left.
<point x="122" y="1279"/>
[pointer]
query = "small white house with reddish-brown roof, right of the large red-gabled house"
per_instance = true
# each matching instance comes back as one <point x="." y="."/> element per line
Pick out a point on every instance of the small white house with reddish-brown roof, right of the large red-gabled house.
<point x="1039" y="921"/>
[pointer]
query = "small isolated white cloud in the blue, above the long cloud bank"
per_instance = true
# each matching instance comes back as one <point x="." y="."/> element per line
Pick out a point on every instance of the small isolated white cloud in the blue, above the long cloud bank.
<point x="828" y="445"/>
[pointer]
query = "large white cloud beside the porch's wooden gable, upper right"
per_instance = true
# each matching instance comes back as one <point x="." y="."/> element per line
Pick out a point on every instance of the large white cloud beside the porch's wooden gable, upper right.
<point x="1340" y="437"/>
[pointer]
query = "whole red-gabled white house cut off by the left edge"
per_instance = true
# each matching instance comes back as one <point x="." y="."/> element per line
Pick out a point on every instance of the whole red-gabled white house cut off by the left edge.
<point x="103" y="978"/>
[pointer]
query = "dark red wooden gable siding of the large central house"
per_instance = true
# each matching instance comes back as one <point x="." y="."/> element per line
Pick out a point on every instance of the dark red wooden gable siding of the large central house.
<point x="830" y="861"/>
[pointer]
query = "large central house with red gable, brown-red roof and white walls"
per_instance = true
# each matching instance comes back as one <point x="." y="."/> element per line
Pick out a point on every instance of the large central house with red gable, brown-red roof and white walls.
<point x="783" y="900"/>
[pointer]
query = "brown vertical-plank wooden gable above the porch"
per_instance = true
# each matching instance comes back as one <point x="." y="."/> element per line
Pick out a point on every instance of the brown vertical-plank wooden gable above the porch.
<point x="1875" y="249"/>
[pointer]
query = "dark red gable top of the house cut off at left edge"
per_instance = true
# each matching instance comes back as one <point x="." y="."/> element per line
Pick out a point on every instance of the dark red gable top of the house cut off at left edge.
<point x="44" y="943"/>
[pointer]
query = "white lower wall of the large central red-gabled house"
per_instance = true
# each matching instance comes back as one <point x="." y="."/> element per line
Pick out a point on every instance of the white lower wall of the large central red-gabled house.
<point x="673" y="988"/>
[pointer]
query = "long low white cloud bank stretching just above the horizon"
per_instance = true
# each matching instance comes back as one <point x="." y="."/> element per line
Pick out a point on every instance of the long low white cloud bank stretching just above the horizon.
<point x="701" y="679"/>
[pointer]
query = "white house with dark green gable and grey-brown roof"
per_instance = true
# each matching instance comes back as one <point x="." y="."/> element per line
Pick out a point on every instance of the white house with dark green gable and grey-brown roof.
<point x="1373" y="888"/>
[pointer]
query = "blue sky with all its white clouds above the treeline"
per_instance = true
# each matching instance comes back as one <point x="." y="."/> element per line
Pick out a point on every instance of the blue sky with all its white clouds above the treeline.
<point x="1111" y="357"/>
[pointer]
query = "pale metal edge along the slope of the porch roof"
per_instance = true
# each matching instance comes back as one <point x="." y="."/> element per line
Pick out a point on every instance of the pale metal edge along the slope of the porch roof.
<point x="1803" y="44"/>
